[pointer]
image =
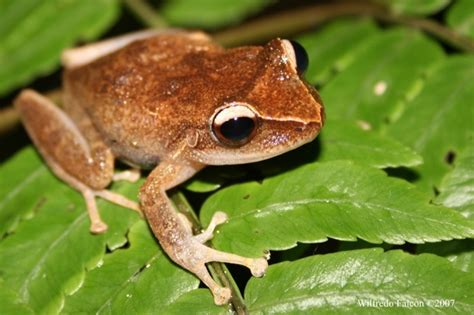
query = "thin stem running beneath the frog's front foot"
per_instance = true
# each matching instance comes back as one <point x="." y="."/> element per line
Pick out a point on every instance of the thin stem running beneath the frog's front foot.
<point x="219" y="270"/>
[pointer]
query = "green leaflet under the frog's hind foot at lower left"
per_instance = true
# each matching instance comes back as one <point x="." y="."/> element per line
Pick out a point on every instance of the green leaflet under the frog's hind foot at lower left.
<point x="48" y="254"/>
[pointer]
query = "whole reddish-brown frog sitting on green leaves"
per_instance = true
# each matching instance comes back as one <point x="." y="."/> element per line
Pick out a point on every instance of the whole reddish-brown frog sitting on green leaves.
<point x="171" y="102"/>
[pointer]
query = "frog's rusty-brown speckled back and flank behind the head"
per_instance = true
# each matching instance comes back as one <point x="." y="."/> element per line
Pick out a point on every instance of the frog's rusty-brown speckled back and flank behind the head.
<point x="141" y="96"/>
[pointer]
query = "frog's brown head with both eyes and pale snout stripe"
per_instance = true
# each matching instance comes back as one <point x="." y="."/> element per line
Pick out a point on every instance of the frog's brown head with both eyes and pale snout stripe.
<point x="277" y="112"/>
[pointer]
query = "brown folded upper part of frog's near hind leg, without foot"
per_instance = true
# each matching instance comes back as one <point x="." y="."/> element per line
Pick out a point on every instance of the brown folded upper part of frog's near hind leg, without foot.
<point x="62" y="144"/>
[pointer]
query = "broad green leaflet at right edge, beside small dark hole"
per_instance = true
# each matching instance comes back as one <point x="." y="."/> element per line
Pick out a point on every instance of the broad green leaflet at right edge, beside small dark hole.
<point x="438" y="121"/>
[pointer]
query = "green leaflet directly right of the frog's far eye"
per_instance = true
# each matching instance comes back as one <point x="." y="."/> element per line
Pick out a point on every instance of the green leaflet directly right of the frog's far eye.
<point x="326" y="53"/>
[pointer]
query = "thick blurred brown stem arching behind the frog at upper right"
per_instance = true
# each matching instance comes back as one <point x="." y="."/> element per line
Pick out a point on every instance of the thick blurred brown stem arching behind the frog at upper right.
<point x="292" y="22"/>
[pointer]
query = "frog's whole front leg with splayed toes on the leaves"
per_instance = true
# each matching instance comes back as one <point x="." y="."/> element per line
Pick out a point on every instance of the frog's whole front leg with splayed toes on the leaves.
<point x="175" y="235"/>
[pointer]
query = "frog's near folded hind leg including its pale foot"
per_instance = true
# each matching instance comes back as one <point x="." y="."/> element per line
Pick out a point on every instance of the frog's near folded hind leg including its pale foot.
<point x="88" y="166"/>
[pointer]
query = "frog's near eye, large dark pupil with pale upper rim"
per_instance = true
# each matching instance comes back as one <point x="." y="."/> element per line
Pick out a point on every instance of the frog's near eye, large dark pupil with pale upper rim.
<point x="234" y="125"/>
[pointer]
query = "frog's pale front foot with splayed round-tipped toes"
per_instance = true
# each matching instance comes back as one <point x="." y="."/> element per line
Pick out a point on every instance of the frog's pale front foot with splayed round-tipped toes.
<point x="195" y="258"/>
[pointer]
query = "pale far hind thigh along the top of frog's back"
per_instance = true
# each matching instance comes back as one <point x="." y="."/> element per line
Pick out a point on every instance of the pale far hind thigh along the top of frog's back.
<point x="76" y="57"/>
